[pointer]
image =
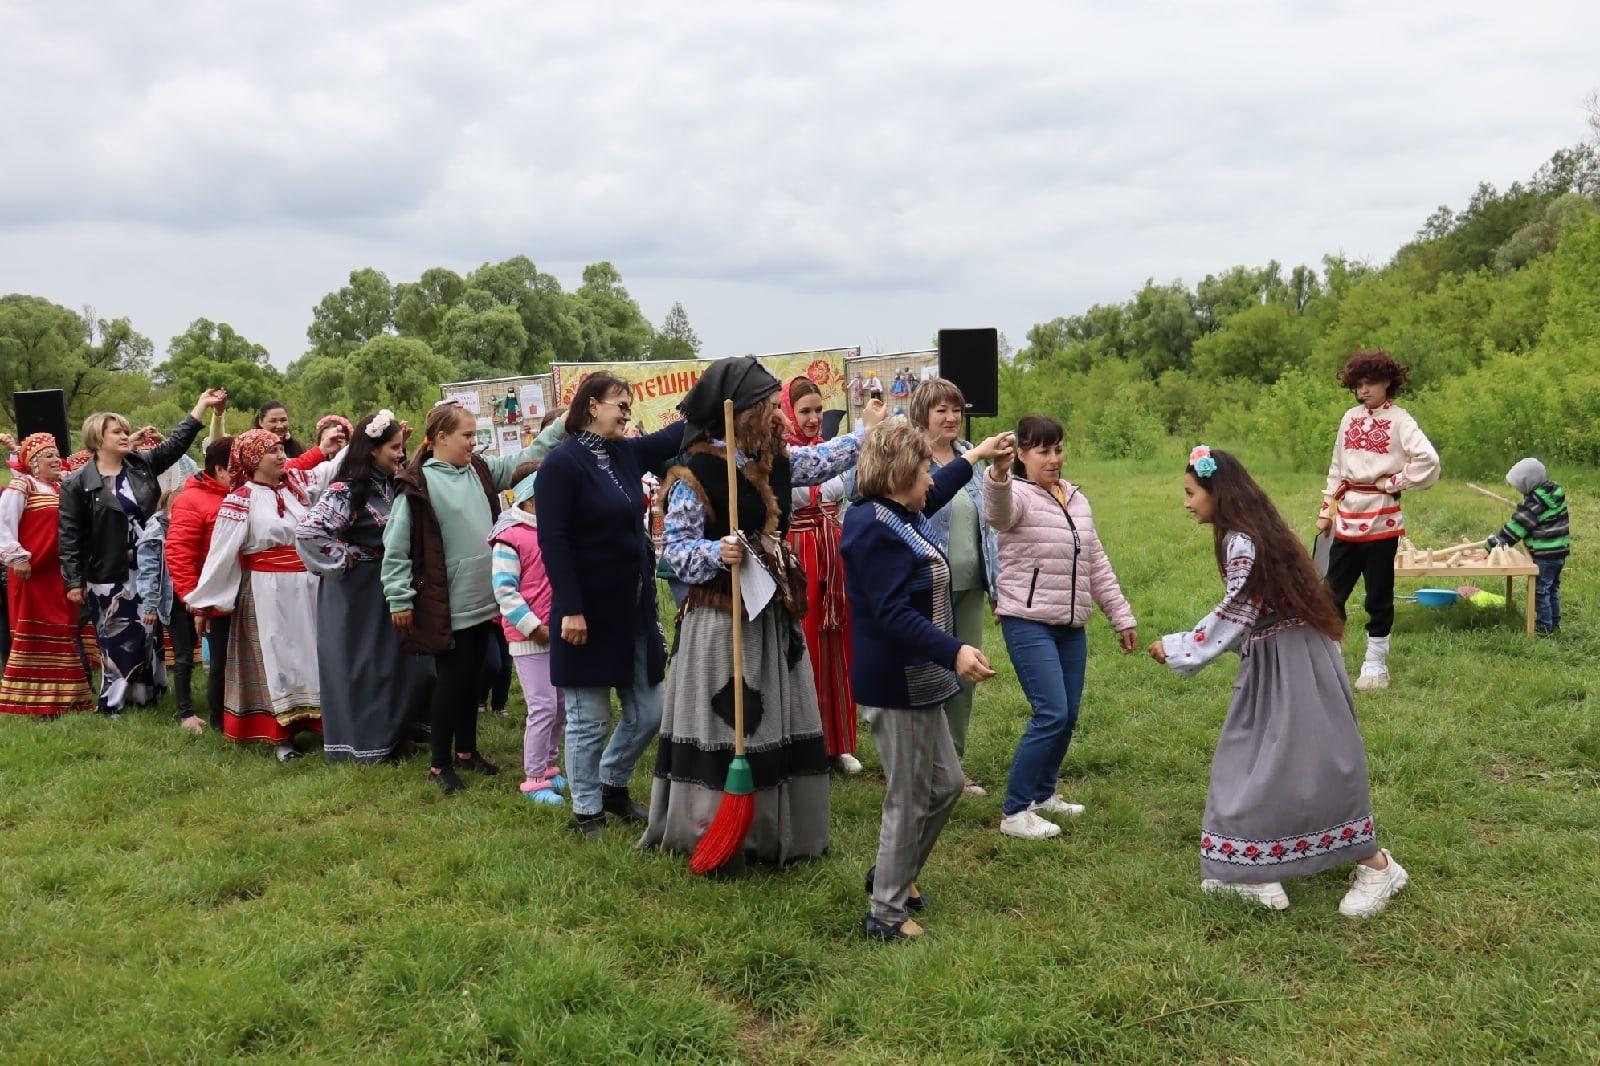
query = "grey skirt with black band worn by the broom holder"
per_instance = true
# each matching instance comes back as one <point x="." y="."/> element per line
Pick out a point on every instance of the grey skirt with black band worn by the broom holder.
<point x="785" y="748"/>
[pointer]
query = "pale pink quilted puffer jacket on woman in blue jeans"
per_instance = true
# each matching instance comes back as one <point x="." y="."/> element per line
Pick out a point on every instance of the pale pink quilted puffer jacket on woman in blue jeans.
<point x="1054" y="567"/>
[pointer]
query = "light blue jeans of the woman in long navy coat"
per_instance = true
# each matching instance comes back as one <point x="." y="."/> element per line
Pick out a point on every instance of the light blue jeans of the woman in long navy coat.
<point x="591" y="761"/>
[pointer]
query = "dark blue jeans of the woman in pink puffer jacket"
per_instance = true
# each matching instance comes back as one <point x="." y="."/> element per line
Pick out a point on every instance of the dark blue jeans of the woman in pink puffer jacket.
<point x="1049" y="663"/>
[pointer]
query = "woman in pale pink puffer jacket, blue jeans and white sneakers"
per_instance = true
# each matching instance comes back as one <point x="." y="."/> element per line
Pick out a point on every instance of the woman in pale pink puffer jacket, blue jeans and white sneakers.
<point x="1054" y="571"/>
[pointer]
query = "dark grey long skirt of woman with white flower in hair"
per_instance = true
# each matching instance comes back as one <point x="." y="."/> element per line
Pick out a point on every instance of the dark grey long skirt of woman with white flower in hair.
<point x="372" y="692"/>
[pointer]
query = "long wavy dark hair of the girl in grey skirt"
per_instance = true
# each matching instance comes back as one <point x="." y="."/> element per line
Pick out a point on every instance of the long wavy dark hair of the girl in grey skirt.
<point x="1284" y="579"/>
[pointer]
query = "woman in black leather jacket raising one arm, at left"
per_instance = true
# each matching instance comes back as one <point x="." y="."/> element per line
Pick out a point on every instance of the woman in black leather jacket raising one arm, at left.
<point x="103" y="511"/>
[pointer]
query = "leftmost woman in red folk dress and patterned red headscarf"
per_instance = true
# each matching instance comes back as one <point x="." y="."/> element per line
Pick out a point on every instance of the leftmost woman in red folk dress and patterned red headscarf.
<point x="46" y="675"/>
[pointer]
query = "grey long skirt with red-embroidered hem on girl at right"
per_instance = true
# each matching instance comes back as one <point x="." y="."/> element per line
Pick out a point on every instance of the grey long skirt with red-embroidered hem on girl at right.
<point x="1289" y="782"/>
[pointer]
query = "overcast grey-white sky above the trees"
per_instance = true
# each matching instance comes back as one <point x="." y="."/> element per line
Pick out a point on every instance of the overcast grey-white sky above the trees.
<point x="798" y="175"/>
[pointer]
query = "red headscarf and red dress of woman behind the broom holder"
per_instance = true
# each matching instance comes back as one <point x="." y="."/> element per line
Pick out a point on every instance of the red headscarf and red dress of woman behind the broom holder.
<point x="814" y="535"/>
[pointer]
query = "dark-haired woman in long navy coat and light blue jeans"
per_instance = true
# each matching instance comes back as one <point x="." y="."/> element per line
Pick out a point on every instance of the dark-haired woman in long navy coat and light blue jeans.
<point x="602" y="572"/>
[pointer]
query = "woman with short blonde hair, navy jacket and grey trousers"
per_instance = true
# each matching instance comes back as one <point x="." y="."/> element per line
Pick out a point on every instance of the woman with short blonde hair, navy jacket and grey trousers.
<point x="906" y="660"/>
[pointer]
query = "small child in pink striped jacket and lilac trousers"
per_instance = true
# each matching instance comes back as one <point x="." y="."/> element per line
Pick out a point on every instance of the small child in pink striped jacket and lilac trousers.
<point x="524" y="595"/>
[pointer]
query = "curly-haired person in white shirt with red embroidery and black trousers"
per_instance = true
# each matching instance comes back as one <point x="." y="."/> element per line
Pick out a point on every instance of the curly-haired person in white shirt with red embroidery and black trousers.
<point x="1378" y="454"/>
